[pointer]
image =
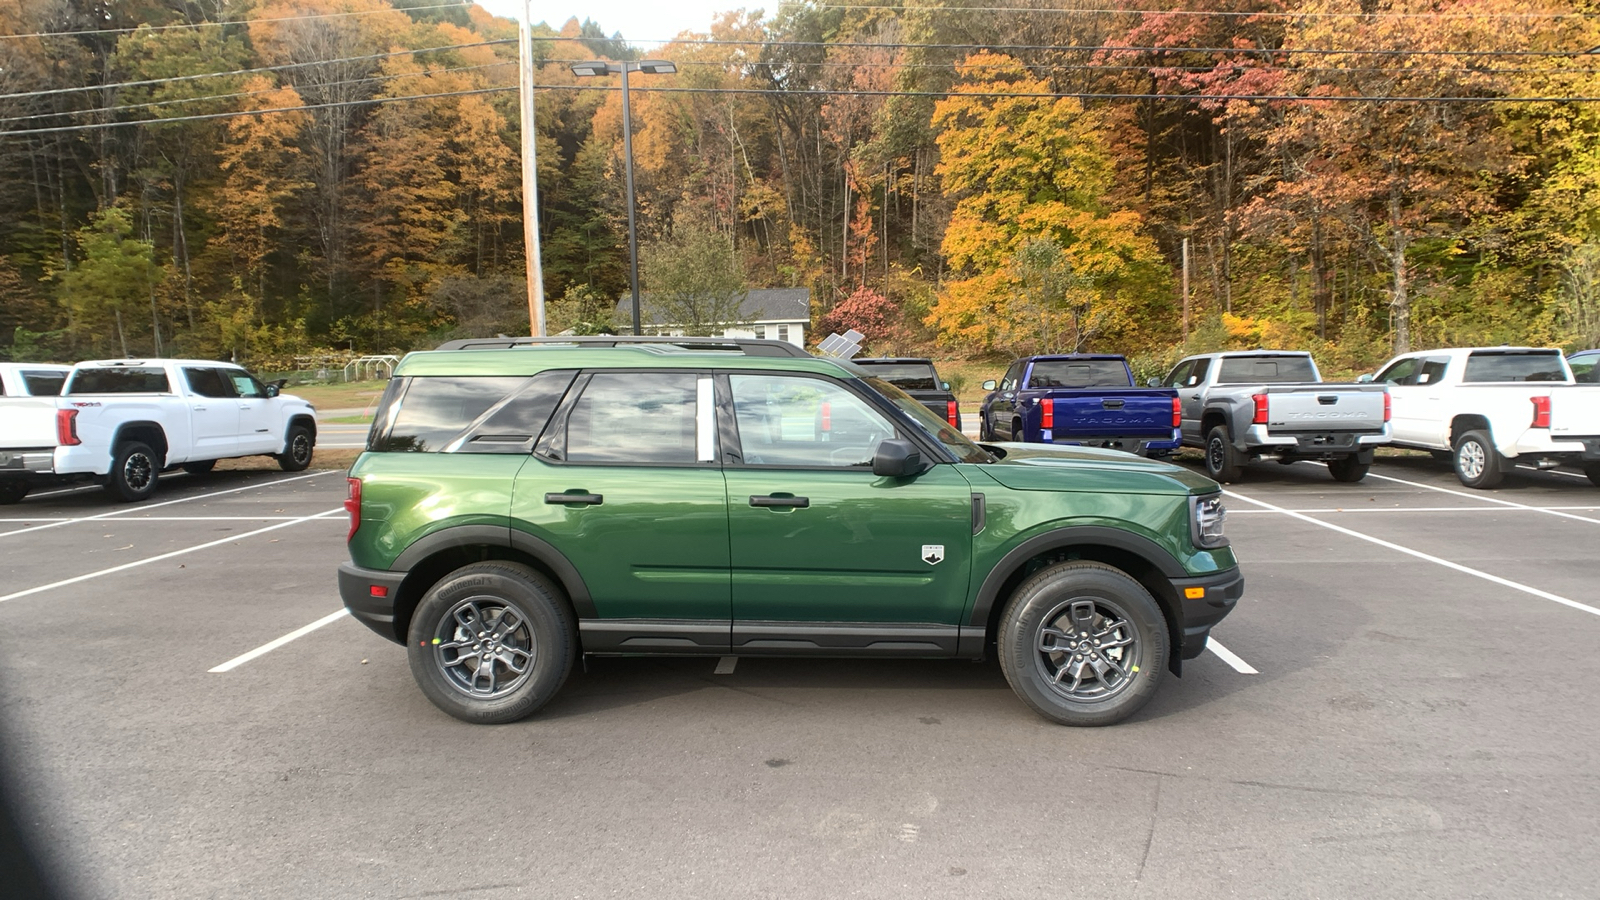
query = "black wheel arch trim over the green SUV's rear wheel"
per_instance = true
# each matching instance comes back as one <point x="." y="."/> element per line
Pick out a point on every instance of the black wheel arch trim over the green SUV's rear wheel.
<point x="447" y="550"/>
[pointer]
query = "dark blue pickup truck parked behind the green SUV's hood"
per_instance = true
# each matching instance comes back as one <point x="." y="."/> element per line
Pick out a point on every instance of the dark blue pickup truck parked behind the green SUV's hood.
<point x="1087" y="400"/>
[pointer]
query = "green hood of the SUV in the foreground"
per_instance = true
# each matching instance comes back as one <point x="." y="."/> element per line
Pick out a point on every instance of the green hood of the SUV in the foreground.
<point x="1044" y="467"/>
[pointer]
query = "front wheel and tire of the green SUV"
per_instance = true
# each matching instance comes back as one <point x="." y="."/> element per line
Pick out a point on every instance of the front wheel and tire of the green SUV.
<point x="1097" y="601"/>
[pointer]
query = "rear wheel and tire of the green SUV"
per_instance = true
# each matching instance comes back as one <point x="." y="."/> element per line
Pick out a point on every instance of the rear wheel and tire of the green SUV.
<point x="442" y="643"/>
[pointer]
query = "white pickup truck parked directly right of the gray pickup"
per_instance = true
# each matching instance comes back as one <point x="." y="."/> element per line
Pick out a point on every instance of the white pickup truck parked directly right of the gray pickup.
<point x="1489" y="409"/>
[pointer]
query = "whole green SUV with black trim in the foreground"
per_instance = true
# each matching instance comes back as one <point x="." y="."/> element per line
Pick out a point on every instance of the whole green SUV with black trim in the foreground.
<point x="518" y="508"/>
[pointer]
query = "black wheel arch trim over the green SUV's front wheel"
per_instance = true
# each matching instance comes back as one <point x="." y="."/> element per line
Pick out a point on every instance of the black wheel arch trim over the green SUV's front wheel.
<point x="1137" y="556"/>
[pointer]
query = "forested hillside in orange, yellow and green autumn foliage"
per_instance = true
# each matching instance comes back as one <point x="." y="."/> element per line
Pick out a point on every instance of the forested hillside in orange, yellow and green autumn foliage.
<point x="274" y="179"/>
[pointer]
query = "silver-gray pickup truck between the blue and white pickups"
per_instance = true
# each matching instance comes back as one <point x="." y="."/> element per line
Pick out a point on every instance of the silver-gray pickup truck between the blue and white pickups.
<point x="1247" y="404"/>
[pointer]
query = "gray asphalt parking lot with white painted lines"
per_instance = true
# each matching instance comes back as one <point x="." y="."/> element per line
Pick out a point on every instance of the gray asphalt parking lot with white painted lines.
<point x="1407" y="707"/>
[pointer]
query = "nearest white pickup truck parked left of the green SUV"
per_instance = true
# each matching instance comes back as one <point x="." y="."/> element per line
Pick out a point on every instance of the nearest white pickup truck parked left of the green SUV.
<point x="124" y="422"/>
